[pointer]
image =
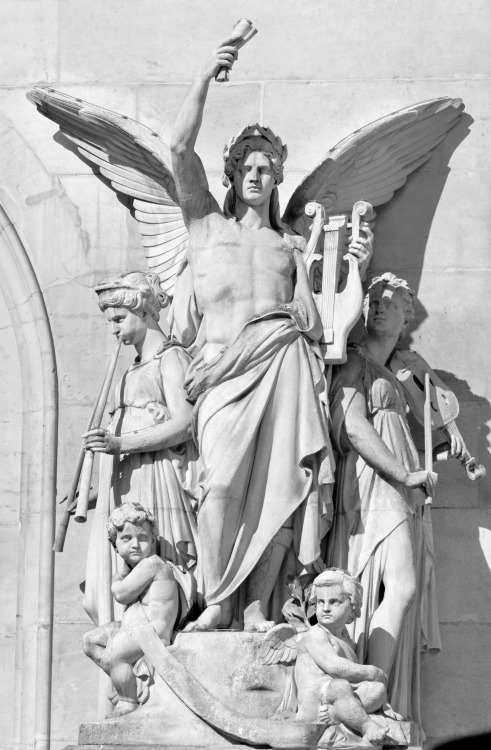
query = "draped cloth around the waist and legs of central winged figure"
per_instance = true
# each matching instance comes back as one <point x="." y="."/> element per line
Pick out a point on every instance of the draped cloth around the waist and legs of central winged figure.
<point x="262" y="430"/>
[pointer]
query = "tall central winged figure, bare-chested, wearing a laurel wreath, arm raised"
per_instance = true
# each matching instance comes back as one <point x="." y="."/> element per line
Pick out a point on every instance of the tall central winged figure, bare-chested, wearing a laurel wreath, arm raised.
<point x="242" y="305"/>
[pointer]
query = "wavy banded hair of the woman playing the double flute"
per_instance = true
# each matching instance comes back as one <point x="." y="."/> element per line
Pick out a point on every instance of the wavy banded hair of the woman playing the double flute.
<point x="136" y="291"/>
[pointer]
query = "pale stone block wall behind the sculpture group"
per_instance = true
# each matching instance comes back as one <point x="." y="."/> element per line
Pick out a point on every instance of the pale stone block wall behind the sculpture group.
<point x="315" y="72"/>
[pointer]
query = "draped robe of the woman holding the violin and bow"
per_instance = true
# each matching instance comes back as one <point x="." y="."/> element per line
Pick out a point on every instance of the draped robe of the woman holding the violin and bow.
<point x="368" y="507"/>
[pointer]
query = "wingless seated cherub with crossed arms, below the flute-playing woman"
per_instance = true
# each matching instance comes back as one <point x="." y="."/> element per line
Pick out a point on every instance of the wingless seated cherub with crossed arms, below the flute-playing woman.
<point x="147" y="588"/>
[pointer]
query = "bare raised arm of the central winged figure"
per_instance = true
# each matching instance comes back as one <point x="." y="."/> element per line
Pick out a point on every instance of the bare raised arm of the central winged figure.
<point x="191" y="182"/>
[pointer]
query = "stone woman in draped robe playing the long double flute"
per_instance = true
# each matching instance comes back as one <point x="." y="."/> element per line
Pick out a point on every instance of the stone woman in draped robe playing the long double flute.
<point x="148" y="456"/>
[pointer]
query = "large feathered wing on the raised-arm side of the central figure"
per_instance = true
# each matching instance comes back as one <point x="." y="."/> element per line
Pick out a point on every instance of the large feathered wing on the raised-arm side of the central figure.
<point x="137" y="164"/>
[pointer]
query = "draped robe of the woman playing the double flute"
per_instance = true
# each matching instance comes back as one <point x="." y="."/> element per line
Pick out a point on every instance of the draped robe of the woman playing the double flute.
<point x="165" y="481"/>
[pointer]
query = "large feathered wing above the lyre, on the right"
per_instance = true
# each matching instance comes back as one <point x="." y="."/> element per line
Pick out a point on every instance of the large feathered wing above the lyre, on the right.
<point x="374" y="161"/>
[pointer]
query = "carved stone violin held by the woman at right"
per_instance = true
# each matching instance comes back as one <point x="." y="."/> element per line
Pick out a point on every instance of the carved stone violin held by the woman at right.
<point x="411" y="370"/>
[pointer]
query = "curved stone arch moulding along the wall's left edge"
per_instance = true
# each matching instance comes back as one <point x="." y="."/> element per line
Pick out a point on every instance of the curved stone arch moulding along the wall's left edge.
<point x="29" y="199"/>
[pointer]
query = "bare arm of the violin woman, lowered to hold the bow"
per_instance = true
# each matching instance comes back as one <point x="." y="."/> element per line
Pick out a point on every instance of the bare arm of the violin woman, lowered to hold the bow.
<point x="367" y="442"/>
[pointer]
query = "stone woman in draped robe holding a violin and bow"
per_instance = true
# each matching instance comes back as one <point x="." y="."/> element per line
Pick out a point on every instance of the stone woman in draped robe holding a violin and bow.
<point x="382" y="530"/>
